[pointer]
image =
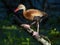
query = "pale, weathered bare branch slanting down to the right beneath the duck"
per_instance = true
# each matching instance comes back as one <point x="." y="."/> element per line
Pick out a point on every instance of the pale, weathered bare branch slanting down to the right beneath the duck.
<point x="37" y="36"/>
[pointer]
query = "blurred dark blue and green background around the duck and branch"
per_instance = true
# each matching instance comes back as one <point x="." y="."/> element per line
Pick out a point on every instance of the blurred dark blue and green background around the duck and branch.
<point x="11" y="34"/>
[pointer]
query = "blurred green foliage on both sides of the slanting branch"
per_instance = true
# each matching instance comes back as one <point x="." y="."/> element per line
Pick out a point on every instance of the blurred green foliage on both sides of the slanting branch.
<point x="12" y="35"/>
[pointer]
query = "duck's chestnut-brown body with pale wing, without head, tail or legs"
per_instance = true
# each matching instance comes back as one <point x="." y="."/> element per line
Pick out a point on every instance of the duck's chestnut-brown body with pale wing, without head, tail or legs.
<point x="29" y="14"/>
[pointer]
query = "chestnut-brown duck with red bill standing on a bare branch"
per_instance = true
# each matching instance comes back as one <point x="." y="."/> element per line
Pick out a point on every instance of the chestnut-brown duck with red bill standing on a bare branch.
<point x="31" y="14"/>
